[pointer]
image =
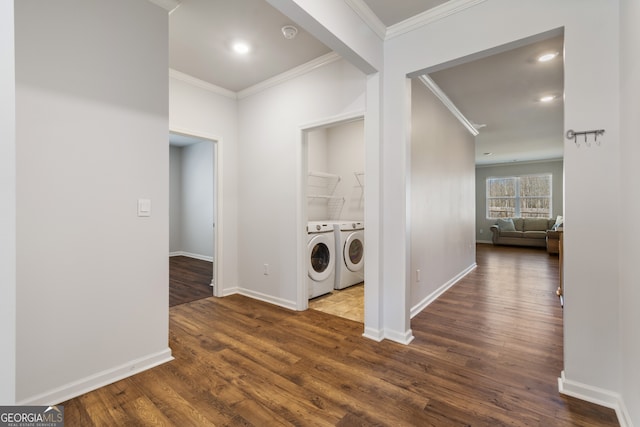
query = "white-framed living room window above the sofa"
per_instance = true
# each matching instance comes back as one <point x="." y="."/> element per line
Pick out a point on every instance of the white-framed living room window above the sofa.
<point x="527" y="196"/>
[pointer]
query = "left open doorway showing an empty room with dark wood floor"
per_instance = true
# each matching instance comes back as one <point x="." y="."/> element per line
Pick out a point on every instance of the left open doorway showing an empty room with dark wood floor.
<point x="192" y="217"/>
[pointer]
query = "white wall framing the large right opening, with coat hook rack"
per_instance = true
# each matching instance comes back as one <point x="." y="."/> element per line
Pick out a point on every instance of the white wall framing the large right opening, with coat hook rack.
<point x="592" y="343"/>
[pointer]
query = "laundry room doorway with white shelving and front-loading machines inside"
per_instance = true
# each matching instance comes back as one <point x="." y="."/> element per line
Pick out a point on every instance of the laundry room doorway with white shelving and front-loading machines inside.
<point x="334" y="195"/>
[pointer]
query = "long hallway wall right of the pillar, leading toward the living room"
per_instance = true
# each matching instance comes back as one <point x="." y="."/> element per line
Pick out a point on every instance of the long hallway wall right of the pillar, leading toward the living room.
<point x="441" y="196"/>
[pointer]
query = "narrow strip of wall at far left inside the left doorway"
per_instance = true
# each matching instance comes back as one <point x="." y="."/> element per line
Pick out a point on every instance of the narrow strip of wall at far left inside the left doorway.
<point x="175" y="199"/>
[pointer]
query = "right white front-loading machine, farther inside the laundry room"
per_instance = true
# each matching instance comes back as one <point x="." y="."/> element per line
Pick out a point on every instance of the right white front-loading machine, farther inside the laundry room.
<point x="349" y="236"/>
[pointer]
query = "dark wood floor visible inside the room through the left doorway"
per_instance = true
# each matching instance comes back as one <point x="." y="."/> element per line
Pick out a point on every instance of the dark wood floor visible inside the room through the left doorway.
<point x="189" y="279"/>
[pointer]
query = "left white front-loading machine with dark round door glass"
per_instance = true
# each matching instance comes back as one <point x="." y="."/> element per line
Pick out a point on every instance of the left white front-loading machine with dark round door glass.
<point x="321" y="258"/>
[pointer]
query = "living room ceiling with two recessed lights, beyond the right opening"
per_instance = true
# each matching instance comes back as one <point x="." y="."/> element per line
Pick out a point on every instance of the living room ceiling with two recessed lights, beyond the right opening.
<point x="503" y="92"/>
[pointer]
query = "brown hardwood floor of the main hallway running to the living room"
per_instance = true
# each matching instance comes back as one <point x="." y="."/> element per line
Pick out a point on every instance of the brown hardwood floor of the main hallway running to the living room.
<point x="487" y="353"/>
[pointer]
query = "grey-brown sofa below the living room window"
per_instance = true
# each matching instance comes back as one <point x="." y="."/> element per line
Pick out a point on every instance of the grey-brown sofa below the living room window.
<point x="522" y="231"/>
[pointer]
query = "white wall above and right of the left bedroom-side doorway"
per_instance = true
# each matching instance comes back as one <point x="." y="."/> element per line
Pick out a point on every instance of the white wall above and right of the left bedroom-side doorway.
<point x="199" y="109"/>
